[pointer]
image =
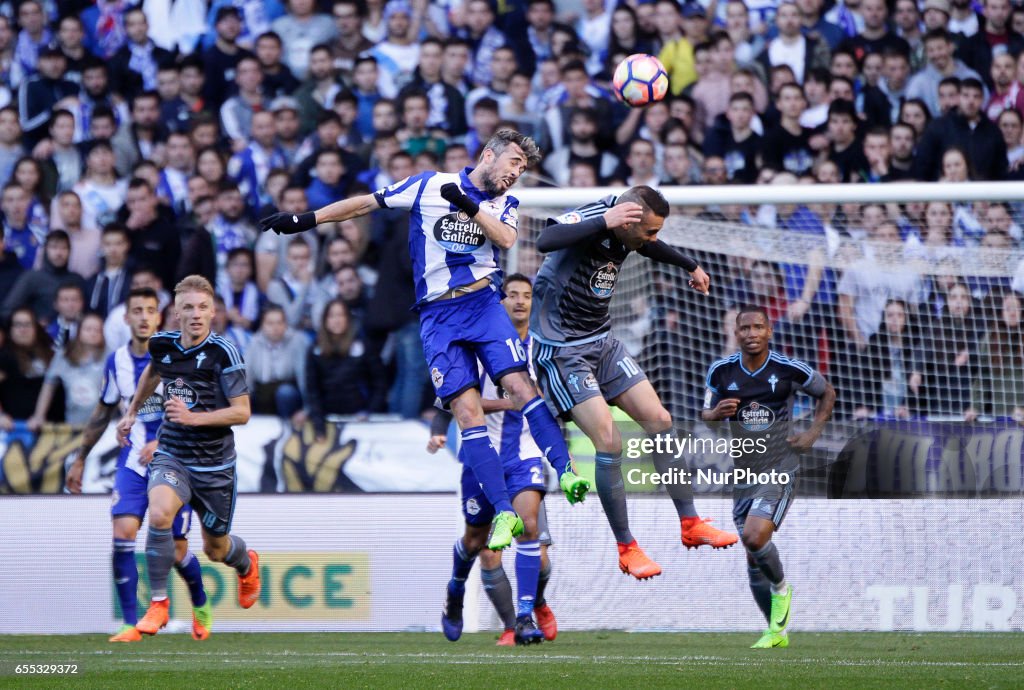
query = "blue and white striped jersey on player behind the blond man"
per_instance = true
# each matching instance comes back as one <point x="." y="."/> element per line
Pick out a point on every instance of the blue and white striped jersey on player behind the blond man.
<point x="120" y="381"/>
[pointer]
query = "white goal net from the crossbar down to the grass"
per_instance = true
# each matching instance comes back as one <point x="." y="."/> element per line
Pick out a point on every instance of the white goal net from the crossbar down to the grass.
<point x="913" y="313"/>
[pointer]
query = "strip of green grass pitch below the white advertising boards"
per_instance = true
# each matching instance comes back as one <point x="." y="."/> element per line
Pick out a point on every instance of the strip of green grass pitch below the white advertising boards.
<point x="614" y="660"/>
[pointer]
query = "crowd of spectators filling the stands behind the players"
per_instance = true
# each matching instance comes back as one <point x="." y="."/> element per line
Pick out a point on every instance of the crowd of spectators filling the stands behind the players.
<point x="141" y="143"/>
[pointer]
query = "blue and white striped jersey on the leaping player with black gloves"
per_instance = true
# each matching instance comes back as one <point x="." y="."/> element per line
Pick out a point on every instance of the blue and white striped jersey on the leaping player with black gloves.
<point x="449" y="250"/>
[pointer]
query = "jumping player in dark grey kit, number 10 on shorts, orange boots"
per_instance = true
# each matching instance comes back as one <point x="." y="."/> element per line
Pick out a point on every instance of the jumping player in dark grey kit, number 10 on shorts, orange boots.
<point x="583" y="369"/>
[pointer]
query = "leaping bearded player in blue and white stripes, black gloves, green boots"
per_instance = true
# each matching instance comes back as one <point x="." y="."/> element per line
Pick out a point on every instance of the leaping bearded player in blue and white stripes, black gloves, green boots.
<point x="458" y="225"/>
